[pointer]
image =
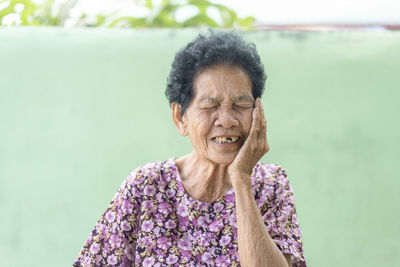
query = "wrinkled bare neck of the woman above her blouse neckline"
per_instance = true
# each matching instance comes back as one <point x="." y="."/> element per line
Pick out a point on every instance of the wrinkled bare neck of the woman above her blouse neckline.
<point x="203" y="179"/>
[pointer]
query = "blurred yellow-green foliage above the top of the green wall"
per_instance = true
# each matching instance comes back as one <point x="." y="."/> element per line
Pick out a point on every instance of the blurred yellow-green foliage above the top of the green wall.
<point x="164" y="14"/>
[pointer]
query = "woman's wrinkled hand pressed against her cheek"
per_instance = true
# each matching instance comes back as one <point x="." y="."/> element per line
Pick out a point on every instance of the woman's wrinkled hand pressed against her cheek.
<point x="255" y="146"/>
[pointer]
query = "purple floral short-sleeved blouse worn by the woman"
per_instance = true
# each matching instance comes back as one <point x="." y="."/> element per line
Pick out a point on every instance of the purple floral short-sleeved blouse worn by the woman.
<point x="152" y="221"/>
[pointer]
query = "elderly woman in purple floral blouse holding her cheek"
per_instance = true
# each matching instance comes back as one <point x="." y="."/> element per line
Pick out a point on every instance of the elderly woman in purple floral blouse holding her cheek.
<point x="217" y="206"/>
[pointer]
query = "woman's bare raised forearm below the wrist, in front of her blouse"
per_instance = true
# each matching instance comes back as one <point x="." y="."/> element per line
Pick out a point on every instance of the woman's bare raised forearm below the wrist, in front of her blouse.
<point x="256" y="247"/>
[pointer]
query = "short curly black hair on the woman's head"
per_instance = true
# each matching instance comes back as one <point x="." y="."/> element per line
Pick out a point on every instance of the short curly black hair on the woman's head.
<point x="209" y="49"/>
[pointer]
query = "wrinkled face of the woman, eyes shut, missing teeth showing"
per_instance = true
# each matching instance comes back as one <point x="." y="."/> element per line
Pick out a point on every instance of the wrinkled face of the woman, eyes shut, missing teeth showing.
<point x="218" y="120"/>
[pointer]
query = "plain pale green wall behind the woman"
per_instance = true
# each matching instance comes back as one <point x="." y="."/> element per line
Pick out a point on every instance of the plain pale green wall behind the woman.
<point x="81" y="108"/>
